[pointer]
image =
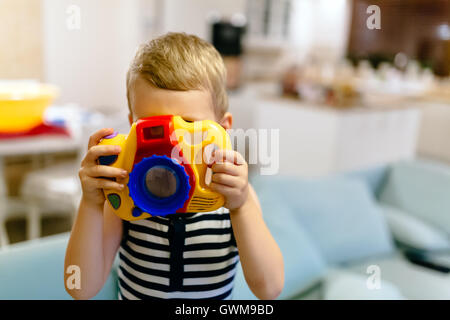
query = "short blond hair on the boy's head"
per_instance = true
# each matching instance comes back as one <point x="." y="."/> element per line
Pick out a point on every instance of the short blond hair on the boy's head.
<point x="178" y="61"/>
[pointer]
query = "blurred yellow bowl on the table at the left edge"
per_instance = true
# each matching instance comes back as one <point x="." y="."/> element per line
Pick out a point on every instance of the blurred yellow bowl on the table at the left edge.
<point x="22" y="106"/>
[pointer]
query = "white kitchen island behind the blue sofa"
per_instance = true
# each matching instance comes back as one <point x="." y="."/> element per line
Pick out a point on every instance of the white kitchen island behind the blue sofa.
<point x="316" y="141"/>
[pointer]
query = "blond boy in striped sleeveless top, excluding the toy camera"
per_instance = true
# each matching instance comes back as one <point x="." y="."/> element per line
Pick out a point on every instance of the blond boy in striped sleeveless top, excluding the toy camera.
<point x="186" y="255"/>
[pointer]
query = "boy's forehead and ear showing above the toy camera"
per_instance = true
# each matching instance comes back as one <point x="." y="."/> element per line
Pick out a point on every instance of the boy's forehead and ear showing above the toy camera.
<point x="191" y="105"/>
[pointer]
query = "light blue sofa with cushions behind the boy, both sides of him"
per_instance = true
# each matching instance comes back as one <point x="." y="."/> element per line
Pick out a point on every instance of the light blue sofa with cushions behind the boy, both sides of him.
<point x="330" y="230"/>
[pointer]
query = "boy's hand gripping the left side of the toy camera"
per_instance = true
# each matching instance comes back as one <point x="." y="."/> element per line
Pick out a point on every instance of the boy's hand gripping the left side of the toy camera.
<point x="91" y="173"/>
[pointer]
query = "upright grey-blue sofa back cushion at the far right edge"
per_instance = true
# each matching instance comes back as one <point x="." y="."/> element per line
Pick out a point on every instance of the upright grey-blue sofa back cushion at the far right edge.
<point x="421" y="189"/>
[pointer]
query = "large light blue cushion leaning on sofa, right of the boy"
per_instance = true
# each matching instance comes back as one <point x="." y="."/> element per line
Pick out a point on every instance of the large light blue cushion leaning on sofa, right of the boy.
<point x="339" y="214"/>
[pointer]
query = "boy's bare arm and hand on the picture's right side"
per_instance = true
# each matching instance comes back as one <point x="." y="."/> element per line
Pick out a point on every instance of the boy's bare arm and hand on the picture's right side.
<point x="261" y="258"/>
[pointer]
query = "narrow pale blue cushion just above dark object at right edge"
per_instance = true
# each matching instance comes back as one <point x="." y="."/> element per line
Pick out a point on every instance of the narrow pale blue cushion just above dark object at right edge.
<point x="413" y="232"/>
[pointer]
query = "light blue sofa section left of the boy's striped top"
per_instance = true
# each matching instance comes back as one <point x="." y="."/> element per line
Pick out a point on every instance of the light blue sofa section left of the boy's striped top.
<point x="35" y="270"/>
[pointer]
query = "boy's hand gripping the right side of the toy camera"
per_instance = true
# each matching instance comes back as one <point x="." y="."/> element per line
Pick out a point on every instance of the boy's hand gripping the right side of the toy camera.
<point x="230" y="177"/>
